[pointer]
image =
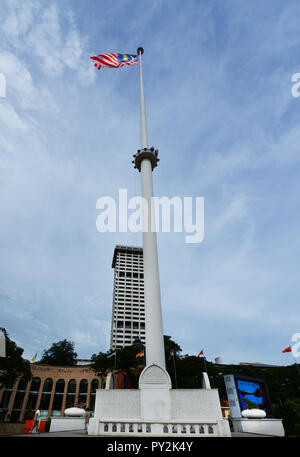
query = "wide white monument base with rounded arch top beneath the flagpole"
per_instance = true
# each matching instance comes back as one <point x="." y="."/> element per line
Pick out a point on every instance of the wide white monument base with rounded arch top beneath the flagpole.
<point x="155" y="409"/>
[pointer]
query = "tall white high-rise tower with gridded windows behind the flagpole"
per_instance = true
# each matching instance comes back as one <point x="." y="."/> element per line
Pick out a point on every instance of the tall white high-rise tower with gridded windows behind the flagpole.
<point x="128" y="310"/>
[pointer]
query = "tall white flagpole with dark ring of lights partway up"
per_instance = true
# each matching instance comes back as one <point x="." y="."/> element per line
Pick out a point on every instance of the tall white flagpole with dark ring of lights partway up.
<point x="145" y="161"/>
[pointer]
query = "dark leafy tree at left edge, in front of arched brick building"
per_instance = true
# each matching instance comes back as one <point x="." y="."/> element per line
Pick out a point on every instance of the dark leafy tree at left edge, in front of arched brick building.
<point x="13" y="365"/>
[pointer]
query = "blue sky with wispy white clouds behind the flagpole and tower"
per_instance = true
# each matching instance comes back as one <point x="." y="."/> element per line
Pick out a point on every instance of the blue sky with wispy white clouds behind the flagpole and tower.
<point x="219" y="109"/>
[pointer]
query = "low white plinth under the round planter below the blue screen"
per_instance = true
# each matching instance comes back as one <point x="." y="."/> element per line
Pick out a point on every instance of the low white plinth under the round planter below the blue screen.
<point x="272" y="427"/>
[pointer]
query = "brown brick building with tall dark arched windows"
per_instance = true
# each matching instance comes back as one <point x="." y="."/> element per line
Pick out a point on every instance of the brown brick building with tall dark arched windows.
<point x="52" y="388"/>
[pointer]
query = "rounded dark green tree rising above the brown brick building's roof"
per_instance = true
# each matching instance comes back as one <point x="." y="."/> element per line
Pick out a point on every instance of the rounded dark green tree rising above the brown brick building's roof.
<point x="61" y="353"/>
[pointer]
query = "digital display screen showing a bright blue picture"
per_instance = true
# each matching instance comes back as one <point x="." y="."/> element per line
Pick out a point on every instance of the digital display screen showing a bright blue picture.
<point x="253" y="394"/>
